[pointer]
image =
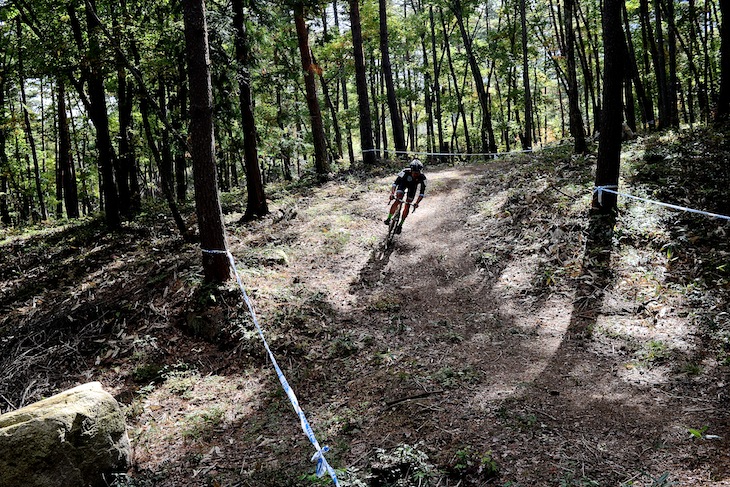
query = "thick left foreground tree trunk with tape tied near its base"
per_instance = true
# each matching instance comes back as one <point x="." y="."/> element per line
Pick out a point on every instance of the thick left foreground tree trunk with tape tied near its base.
<point x="202" y="145"/>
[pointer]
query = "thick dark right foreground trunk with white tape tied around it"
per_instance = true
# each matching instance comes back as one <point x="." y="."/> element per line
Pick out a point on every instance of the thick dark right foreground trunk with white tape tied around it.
<point x="609" y="148"/>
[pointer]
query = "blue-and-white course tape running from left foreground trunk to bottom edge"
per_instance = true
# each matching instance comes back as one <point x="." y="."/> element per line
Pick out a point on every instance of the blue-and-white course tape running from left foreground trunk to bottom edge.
<point x="322" y="465"/>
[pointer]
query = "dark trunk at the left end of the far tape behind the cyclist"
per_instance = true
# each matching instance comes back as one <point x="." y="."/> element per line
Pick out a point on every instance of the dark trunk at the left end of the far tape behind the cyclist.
<point x="366" y="122"/>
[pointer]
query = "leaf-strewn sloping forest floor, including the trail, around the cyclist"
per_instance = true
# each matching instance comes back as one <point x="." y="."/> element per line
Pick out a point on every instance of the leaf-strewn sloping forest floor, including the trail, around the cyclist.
<point x="510" y="337"/>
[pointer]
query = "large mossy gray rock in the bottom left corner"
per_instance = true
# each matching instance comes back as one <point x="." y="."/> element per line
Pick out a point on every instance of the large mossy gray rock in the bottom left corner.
<point x="74" y="439"/>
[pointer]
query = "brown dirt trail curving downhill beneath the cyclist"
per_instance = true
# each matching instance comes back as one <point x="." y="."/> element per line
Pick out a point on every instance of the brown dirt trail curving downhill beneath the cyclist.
<point x="468" y="357"/>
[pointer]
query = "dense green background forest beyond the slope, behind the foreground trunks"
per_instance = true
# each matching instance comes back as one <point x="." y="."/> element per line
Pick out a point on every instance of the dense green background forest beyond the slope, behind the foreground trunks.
<point x="455" y="76"/>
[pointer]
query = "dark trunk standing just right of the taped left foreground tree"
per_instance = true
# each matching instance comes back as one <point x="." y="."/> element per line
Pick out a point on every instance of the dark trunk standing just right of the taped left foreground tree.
<point x="256" y="202"/>
